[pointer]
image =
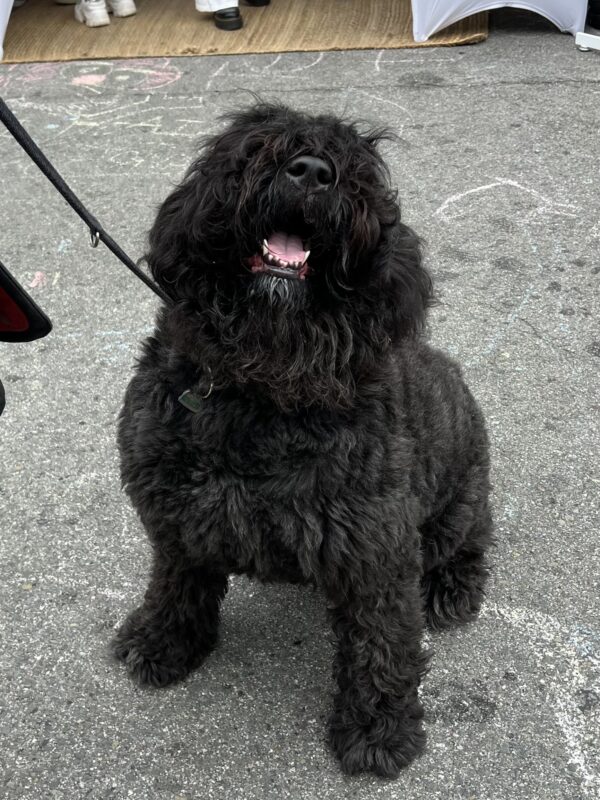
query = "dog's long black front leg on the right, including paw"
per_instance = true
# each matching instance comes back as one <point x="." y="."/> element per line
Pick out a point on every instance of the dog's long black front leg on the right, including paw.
<point x="376" y="613"/>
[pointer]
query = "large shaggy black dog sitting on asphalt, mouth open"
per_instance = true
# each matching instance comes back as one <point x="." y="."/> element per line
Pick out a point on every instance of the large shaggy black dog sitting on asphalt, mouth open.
<point x="287" y="421"/>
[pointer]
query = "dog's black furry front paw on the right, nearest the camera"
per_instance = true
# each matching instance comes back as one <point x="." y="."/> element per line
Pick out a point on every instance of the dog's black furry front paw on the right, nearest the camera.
<point x="384" y="747"/>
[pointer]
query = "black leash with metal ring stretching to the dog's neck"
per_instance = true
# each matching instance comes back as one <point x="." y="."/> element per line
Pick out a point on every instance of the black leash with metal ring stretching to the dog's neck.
<point x="97" y="232"/>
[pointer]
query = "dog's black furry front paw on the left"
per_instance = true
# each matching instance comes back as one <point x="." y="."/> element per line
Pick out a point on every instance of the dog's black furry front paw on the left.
<point x="153" y="656"/>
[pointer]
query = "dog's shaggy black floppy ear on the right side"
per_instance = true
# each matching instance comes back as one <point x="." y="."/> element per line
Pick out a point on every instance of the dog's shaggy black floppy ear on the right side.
<point x="402" y="284"/>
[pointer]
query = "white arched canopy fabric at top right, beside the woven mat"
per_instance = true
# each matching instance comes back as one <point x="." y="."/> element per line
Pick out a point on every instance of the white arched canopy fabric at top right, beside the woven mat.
<point x="430" y="16"/>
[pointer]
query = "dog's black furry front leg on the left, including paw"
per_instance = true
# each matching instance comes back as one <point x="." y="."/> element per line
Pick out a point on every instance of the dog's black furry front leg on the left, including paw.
<point x="175" y="628"/>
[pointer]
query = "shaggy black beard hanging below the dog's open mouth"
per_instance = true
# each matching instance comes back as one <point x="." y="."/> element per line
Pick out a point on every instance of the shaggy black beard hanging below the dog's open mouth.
<point x="270" y="340"/>
